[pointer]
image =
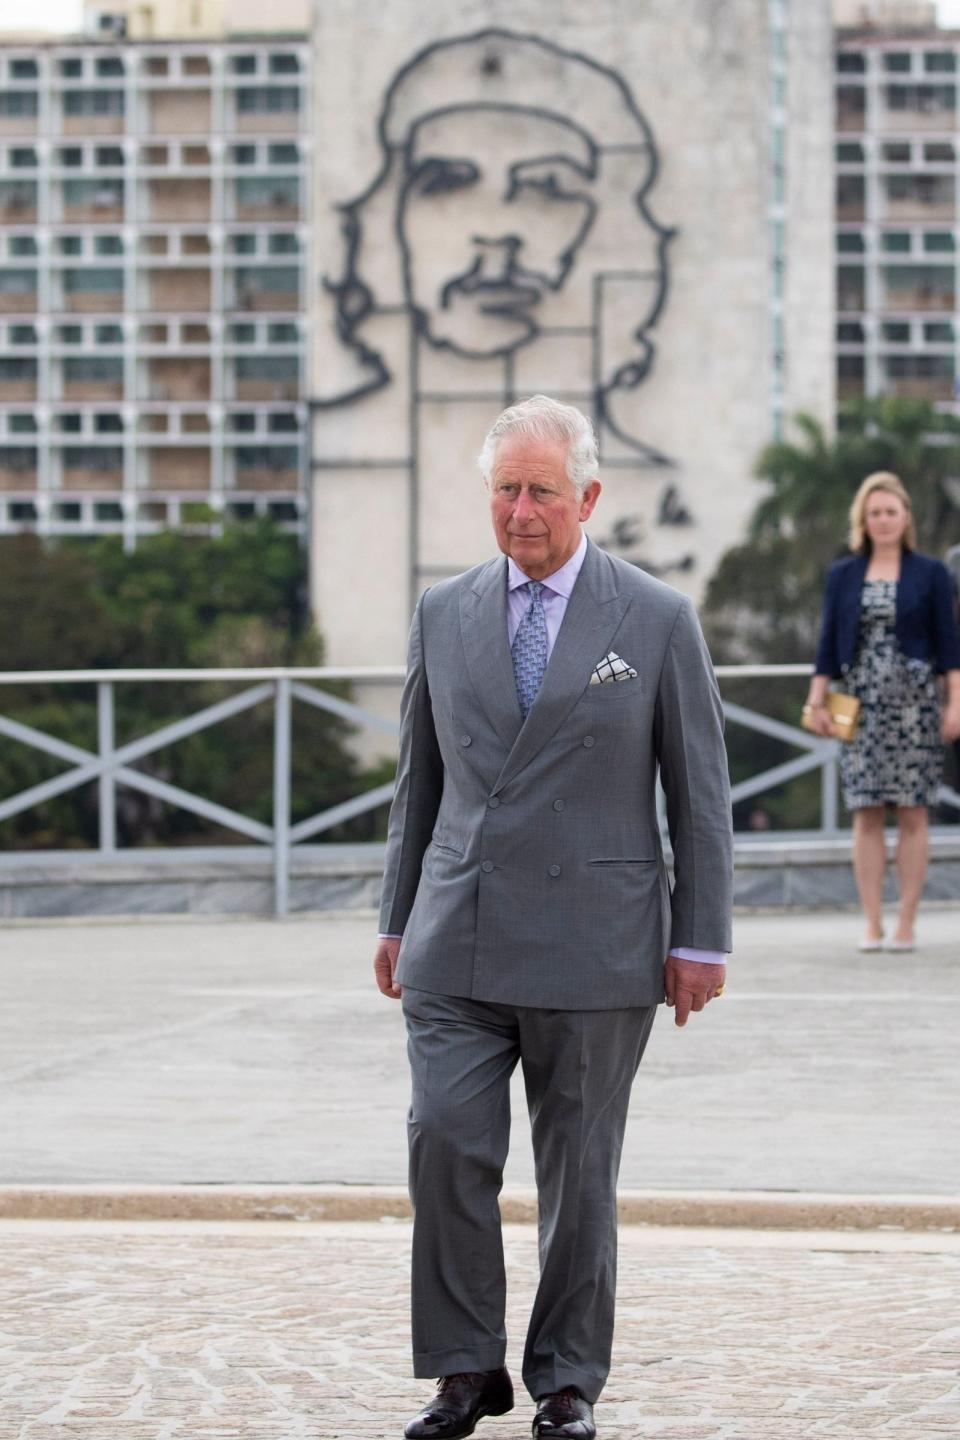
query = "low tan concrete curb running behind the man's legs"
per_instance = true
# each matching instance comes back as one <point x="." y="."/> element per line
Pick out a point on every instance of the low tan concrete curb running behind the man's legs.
<point x="755" y="1210"/>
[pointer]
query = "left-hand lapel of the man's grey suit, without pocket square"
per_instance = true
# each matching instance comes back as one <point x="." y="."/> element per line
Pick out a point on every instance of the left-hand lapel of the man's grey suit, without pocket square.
<point x="487" y="650"/>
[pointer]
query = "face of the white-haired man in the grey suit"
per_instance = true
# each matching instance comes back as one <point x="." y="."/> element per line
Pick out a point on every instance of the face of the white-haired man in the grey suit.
<point x="535" y="505"/>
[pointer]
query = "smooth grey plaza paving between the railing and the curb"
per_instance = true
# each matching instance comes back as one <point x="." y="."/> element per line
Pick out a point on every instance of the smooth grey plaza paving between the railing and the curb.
<point x="260" y="1052"/>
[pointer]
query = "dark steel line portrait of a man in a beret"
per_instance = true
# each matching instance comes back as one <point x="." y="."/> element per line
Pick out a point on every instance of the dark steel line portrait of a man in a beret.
<point x="466" y="74"/>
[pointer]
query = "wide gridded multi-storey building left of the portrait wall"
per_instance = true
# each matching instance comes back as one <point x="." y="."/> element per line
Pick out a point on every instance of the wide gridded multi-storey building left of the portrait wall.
<point x="155" y="241"/>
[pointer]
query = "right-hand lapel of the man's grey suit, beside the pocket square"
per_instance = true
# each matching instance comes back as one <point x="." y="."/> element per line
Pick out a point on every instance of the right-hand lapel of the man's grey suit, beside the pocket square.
<point x="594" y="614"/>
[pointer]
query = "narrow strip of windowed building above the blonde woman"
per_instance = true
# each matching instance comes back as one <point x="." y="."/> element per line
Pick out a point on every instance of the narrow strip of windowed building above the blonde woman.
<point x="897" y="221"/>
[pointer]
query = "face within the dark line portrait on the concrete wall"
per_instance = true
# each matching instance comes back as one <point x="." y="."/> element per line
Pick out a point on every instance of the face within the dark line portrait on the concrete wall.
<point x="490" y="222"/>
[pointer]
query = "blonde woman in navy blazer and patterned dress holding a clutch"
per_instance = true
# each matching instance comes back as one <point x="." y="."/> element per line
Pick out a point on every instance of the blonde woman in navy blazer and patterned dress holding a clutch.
<point x="889" y="636"/>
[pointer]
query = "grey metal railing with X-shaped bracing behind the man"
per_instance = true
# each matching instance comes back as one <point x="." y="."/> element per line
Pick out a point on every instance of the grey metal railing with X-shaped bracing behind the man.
<point x="113" y="767"/>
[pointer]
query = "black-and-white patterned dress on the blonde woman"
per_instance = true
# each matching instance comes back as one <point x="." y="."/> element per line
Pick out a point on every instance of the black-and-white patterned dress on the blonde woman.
<point x="897" y="755"/>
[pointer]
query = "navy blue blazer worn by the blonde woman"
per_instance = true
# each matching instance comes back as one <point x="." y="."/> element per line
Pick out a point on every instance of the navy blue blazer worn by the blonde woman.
<point x="926" y="627"/>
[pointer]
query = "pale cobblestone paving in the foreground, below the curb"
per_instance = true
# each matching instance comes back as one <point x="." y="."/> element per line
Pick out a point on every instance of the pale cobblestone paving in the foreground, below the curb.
<point x="271" y="1333"/>
